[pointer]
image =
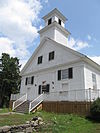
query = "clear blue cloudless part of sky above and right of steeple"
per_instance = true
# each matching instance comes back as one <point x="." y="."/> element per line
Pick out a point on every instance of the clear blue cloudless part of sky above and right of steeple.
<point x="83" y="21"/>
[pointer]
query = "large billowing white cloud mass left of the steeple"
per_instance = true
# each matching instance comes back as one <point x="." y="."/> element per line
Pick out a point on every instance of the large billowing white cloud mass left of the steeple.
<point x="17" y="20"/>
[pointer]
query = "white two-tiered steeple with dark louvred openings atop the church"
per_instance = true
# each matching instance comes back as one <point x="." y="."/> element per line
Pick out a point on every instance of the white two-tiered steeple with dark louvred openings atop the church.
<point x="55" y="27"/>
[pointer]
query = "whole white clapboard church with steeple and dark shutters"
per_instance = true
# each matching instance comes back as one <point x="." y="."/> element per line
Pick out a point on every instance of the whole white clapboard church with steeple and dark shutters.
<point x="55" y="72"/>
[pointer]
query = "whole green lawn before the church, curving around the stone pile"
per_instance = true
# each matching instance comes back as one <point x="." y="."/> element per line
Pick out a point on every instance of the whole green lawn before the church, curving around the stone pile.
<point x="54" y="123"/>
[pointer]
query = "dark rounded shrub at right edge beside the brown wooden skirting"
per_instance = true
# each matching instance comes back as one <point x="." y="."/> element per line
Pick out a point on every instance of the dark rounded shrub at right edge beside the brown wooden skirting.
<point x="95" y="109"/>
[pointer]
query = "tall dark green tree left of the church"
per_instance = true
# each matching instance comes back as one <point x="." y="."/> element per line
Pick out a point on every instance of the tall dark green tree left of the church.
<point x="9" y="78"/>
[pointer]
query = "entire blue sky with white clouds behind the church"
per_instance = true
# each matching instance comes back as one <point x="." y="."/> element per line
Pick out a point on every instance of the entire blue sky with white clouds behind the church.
<point x="20" y="21"/>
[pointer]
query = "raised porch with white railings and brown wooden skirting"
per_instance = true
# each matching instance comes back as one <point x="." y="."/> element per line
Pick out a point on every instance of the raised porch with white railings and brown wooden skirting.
<point x="75" y="100"/>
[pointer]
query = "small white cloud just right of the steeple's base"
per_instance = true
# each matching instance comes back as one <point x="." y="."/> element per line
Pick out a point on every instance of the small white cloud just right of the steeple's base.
<point x="77" y="44"/>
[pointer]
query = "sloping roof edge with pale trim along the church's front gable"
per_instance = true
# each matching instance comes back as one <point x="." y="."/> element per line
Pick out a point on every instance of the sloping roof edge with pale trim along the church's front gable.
<point x="82" y="56"/>
